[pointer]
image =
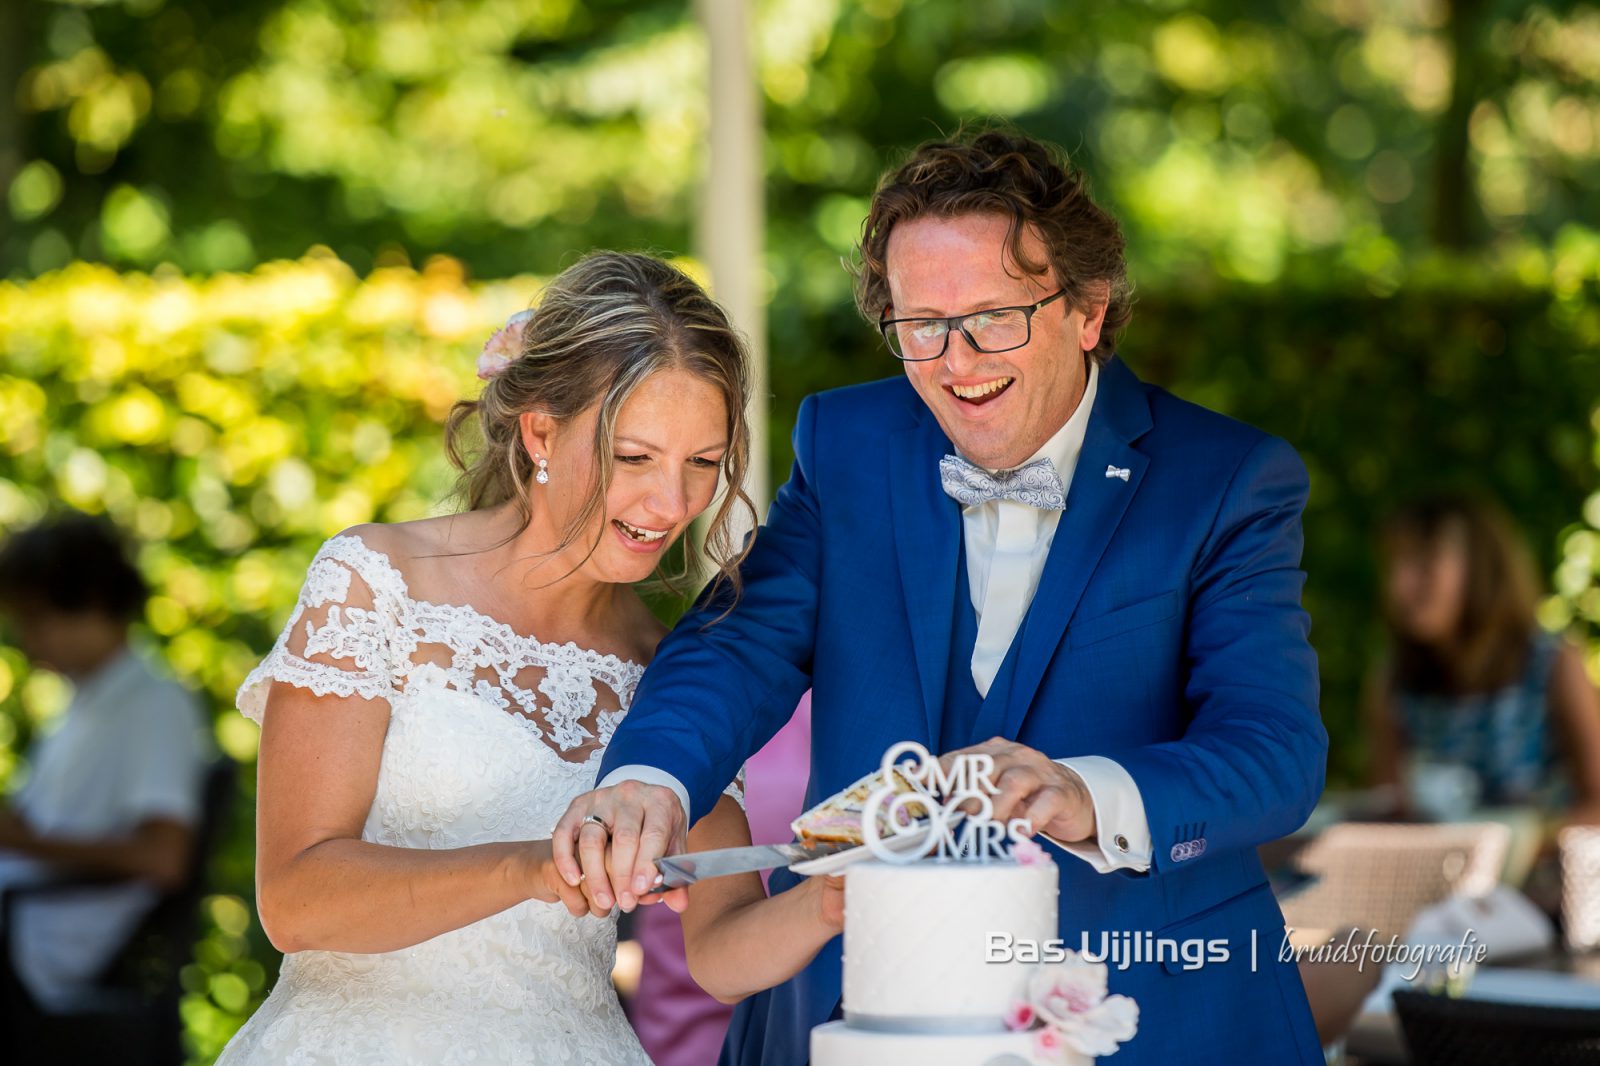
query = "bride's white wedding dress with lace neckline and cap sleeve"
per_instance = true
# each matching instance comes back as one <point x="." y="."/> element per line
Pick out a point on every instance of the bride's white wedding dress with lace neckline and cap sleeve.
<point x="492" y="735"/>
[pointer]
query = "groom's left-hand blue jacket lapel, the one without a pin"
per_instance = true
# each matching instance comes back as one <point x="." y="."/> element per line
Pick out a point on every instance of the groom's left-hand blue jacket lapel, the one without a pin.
<point x="927" y="542"/>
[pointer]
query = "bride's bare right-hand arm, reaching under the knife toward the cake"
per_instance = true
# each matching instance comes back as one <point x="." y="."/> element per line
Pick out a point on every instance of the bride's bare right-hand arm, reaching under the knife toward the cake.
<point x="742" y="942"/>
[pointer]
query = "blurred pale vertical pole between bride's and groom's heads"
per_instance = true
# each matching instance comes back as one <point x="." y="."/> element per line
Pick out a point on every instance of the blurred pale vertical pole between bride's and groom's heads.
<point x="732" y="214"/>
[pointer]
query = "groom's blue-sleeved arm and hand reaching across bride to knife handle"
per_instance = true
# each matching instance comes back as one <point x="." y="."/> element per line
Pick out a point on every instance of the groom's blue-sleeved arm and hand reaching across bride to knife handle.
<point x="716" y="692"/>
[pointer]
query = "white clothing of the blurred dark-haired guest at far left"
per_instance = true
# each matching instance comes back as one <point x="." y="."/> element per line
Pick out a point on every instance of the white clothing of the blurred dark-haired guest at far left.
<point x="127" y="750"/>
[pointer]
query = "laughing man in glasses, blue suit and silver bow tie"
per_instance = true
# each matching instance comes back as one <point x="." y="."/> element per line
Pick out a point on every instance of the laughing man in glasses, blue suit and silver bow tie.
<point x="1017" y="547"/>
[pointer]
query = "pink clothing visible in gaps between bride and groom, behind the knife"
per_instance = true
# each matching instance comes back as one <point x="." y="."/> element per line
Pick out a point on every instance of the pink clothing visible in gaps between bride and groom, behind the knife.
<point x="679" y="1024"/>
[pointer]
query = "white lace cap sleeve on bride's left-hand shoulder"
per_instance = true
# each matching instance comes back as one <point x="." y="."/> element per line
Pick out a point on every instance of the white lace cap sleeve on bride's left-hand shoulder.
<point x="338" y="638"/>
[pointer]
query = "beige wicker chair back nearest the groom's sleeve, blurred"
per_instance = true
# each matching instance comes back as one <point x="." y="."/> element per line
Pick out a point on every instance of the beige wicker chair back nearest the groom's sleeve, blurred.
<point x="1380" y="876"/>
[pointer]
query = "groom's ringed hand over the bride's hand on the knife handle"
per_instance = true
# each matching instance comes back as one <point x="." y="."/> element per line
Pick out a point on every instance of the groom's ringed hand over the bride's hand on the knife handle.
<point x="615" y="864"/>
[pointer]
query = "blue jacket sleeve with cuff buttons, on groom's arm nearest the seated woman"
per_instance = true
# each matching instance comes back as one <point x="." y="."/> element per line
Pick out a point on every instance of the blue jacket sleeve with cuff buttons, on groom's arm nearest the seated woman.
<point x="1250" y="766"/>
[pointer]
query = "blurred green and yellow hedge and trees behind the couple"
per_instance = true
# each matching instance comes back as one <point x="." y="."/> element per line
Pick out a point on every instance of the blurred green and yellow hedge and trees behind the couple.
<point x="1358" y="225"/>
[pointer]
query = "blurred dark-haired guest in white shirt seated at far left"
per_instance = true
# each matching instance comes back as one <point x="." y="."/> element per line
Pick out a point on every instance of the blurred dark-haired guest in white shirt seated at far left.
<point x="114" y="790"/>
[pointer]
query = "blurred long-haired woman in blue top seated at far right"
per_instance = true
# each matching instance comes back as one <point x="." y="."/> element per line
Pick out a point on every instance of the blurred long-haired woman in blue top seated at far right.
<point x="1471" y="679"/>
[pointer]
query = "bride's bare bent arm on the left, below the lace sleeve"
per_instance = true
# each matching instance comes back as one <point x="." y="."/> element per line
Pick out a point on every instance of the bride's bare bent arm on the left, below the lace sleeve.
<point x="319" y="886"/>
